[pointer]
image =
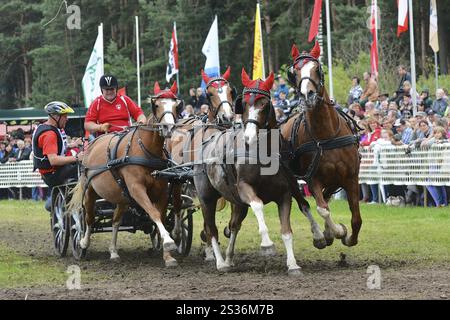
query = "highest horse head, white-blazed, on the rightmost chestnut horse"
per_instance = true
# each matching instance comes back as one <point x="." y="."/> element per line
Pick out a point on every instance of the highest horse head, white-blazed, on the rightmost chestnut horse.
<point x="306" y="75"/>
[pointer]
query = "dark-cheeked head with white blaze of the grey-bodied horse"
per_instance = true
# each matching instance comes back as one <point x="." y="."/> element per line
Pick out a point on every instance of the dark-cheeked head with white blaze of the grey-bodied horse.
<point x="255" y="106"/>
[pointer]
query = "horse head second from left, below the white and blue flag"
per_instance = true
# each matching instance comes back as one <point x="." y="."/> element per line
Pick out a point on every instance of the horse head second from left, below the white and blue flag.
<point x="220" y="96"/>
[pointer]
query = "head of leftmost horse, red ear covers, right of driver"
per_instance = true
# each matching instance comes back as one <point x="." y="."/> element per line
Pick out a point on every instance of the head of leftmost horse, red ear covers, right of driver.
<point x="165" y="107"/>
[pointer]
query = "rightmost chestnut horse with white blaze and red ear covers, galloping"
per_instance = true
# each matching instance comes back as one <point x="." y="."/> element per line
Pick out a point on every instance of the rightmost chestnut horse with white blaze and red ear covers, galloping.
<point x="324" y="144"/>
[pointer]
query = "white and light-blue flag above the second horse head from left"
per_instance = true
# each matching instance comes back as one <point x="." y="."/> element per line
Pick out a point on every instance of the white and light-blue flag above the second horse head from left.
<point x="211" y="50"/>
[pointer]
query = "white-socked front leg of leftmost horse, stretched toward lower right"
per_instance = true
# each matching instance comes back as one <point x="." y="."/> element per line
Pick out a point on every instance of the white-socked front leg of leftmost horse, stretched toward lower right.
<point x="139" y="193"/>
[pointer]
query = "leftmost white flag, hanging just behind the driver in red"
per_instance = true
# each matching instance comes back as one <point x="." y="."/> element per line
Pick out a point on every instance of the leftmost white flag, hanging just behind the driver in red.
<point x="94" y="71"/>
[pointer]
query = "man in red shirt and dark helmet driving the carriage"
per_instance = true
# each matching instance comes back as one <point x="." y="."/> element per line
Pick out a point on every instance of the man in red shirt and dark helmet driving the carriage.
<point x="111" y="112"/>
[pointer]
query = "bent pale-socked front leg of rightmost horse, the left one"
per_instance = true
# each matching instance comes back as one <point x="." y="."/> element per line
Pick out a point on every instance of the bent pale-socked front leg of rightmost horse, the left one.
<point x="332" y="230"/>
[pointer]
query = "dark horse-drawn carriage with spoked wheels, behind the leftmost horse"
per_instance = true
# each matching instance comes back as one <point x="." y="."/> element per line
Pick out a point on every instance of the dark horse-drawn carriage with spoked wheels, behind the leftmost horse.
<point x="68" y="227"/>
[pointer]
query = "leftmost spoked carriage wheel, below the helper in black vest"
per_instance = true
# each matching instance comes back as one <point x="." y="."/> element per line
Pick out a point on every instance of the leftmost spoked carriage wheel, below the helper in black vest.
<point x="59" y="223"/>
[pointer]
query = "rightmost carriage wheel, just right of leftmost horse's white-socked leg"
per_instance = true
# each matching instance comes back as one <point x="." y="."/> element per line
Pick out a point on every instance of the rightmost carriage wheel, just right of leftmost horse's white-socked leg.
<point x="183" y="236"/>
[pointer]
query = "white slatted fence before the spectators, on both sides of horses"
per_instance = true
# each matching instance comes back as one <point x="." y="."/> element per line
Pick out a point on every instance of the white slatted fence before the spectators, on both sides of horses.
<point x="383" y="165"/>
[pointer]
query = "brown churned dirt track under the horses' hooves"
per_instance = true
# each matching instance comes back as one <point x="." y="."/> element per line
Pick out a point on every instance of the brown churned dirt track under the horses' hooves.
<point x="141" y="276"/>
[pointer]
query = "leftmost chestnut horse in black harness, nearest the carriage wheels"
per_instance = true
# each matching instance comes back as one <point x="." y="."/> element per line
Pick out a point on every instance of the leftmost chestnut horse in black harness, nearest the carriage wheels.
<point x="138" y="152"/>
